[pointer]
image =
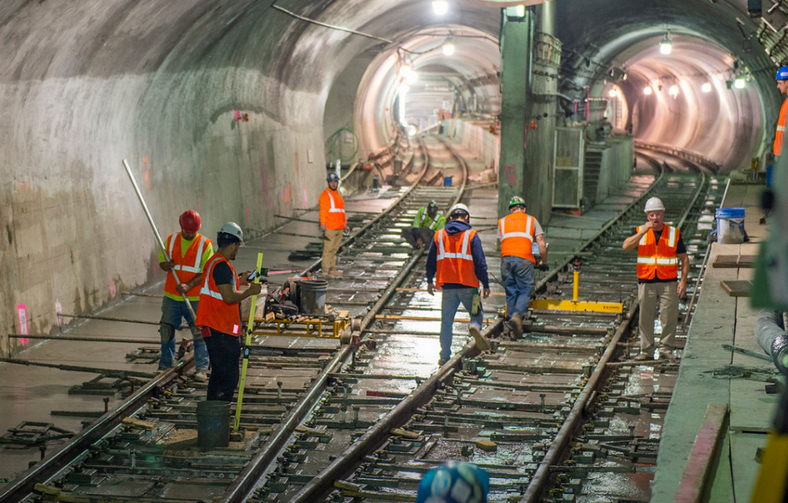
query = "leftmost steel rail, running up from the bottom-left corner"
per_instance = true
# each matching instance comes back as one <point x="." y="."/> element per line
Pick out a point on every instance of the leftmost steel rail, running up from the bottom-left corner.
<point x="51" y="465"/>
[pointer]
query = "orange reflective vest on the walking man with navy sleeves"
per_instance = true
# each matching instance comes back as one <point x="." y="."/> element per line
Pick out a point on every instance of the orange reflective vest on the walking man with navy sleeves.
<point x="455" y="261"/>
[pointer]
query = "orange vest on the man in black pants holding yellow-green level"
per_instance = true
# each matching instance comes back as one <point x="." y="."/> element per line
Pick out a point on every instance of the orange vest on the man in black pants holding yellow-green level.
<point x="214" y="312"/>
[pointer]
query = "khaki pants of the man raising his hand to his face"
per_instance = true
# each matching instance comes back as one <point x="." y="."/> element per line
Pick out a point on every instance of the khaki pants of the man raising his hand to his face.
<point x="664" y="296"/>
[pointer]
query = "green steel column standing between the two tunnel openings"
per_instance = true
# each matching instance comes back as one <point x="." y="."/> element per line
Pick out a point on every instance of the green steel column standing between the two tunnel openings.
<point x="516" y="47"/>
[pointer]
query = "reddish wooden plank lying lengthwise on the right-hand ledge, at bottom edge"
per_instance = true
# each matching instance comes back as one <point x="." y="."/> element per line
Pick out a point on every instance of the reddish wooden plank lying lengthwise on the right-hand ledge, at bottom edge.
<point x="701" y="459"/>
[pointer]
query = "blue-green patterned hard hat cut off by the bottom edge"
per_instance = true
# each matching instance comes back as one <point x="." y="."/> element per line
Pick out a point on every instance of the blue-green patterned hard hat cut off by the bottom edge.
<point x="454" y="482"/>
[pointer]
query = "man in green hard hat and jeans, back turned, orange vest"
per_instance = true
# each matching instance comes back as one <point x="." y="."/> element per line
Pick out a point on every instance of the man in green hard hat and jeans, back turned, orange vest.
<point x="517" y="231"/>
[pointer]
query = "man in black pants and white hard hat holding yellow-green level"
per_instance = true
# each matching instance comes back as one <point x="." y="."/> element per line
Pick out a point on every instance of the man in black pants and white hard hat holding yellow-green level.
<point x="220" y="312"/>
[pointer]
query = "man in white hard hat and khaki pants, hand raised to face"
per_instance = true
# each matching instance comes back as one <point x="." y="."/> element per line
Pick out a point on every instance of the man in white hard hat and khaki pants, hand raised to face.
<point x="660" y="248"/>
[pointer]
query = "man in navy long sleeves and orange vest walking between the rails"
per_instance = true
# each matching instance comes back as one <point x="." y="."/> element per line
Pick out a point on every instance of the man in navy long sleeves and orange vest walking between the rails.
<point x="456" y="262"/>
